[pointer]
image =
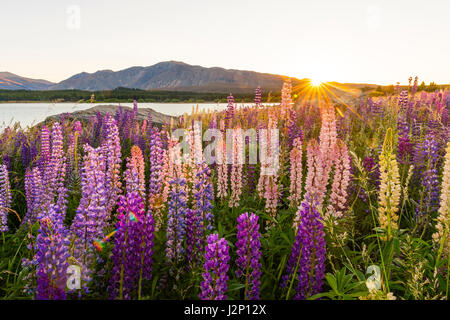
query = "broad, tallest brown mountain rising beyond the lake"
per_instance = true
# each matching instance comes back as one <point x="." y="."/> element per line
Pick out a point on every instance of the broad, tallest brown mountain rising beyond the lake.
<point x="176" y="76"/>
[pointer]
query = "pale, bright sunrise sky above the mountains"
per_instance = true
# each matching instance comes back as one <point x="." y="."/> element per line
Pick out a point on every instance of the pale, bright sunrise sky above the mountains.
<point x="359" y="41"/>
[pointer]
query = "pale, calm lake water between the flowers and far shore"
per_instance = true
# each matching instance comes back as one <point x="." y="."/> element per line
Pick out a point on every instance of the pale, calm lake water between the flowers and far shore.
<point x="28" y="114"/>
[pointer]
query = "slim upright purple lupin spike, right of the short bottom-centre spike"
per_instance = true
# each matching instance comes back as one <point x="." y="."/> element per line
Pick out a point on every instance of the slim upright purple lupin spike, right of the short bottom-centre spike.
<point x="249" y="254"/>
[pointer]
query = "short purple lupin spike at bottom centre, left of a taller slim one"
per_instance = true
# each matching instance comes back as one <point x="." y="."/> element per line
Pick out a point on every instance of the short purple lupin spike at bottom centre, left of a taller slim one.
<point x="214" y="284"/>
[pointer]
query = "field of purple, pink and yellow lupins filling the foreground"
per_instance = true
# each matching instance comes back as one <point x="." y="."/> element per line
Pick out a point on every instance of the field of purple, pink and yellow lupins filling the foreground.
<point x="359" y="207"/>
